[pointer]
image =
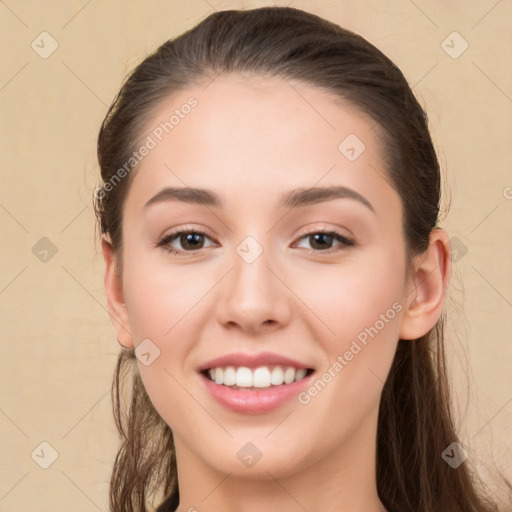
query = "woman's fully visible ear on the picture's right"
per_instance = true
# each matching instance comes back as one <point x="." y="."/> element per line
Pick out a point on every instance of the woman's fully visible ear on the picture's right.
<point x="425" y="298"/>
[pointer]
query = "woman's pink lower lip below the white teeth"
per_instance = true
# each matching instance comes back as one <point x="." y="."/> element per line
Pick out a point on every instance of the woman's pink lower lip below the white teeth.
<point x="255" y="401"/>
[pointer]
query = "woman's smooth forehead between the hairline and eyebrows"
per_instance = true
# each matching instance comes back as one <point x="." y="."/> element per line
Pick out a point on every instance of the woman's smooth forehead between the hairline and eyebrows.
<point x="246" y="133"/>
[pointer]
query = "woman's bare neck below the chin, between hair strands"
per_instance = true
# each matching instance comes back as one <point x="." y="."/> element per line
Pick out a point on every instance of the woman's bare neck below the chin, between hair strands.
<point x="343" y="480"/>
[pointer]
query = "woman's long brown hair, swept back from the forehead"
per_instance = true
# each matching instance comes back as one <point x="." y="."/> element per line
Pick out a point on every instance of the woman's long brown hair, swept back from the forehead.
<point x="415" y="421"/>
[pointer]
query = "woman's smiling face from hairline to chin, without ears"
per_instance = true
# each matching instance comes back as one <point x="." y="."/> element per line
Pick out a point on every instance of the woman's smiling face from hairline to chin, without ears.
<point x="258" y="285"/>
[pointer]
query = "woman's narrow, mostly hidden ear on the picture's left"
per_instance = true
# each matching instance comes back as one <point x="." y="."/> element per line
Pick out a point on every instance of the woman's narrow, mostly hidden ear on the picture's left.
<point x="114" y="290"/>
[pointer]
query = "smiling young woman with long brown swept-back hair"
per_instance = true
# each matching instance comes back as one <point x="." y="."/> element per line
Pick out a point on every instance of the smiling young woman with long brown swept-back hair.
<point x="276" y="277"/>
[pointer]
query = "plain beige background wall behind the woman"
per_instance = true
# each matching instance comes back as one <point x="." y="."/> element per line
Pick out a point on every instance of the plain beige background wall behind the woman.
<point x="58" y="346"/>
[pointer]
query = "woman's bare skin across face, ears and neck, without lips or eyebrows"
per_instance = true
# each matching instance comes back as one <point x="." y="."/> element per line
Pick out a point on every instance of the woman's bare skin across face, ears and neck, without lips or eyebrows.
<point x="250" y="140"/>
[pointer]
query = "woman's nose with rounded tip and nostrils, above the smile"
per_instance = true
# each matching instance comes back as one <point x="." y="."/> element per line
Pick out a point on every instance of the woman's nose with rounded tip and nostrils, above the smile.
<point x="253" y="296"/>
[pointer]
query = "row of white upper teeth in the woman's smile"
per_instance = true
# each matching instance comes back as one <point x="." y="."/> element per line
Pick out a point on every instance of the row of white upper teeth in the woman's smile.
<point x="261" y="377"/>
